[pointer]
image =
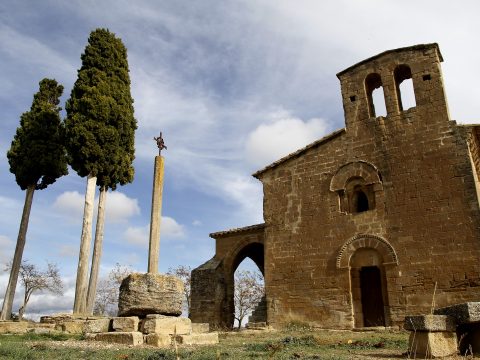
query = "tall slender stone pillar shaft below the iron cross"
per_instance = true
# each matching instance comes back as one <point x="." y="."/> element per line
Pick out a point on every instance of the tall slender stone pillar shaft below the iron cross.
<point x="154" y="243"/>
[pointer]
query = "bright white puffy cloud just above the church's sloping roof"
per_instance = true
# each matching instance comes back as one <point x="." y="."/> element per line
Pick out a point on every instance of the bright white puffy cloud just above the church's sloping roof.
<point x="286" y="134"/>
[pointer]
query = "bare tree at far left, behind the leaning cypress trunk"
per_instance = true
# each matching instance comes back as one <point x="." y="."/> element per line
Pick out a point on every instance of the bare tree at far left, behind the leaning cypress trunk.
<point x="34" y="279"/>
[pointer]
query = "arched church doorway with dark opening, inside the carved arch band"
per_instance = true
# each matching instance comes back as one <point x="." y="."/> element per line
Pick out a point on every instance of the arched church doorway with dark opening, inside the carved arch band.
<point x="368" y="288"/>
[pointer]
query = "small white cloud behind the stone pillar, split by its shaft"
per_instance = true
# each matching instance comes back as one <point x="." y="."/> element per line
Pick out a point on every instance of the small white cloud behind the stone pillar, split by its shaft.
<point x="169" y="229"/>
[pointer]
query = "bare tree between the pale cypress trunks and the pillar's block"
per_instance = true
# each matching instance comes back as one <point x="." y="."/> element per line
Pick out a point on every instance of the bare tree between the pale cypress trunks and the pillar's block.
<point x="106" y="299"/>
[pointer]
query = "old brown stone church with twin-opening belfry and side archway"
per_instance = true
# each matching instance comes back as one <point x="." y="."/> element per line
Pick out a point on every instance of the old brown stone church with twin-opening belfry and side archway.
<point x="373" y="222"/>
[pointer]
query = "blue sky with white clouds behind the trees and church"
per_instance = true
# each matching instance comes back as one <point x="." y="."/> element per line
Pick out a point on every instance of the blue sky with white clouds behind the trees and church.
<point x="233" y="85"/>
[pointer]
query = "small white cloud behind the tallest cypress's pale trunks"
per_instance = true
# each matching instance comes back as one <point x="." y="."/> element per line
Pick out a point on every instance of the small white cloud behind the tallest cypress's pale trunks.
<point x="119" y="207"/>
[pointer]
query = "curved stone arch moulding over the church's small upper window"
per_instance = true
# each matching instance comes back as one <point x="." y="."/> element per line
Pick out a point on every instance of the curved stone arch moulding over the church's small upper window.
<point x="355" y="169"/>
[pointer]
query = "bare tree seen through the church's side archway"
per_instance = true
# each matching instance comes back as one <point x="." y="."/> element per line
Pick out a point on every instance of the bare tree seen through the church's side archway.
<point x="249" y="290"/>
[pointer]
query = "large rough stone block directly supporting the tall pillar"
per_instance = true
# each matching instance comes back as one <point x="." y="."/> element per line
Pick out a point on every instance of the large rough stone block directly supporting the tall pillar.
<point x="143" y="294"/>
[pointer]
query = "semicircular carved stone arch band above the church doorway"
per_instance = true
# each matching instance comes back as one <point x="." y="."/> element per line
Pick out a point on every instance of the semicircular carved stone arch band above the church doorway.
<point x="384" y="248"/>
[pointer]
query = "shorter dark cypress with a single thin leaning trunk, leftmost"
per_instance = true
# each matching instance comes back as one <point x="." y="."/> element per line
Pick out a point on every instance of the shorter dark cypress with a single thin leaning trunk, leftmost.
<point x="37" y="158"/>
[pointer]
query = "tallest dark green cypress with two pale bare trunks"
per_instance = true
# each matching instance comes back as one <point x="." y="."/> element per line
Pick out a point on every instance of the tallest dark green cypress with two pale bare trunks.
<point x="100" y="129"/>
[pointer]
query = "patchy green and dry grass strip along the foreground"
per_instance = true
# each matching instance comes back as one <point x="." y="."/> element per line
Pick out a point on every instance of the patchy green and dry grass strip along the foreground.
<point x="290" y="343"/>
